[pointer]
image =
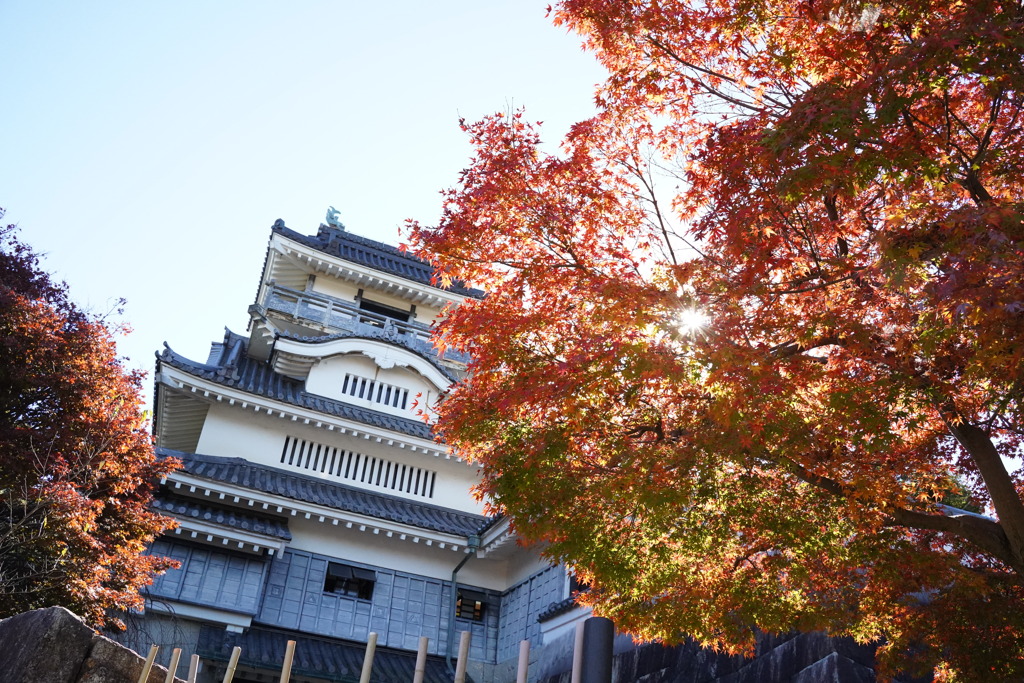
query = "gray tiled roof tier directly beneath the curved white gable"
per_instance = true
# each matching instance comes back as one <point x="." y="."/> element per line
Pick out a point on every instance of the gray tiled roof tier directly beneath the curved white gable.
<point x="259" y="378"/>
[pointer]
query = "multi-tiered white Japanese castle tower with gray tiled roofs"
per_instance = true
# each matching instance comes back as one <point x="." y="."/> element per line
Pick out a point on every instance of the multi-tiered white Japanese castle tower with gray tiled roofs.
<point x="314" y="503"/>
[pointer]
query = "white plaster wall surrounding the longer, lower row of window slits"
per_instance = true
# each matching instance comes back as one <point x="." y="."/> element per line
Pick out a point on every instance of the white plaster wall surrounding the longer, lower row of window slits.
<point x="234" y="433"/>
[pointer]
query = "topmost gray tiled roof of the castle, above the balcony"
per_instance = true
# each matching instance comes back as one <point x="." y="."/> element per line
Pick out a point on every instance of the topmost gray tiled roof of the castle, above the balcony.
<point x="373" y="254"/>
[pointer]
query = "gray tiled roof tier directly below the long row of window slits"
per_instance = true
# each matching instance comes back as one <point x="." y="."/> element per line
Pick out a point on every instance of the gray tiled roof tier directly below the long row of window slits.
<point x="340" y="497"/>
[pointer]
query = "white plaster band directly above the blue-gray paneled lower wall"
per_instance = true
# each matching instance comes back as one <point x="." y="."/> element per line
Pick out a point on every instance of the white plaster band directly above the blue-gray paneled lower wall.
<point x="378" y="550"/>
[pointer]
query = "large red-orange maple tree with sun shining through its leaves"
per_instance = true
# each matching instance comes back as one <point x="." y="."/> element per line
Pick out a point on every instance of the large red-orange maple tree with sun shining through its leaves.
<point x="751" y="356"/>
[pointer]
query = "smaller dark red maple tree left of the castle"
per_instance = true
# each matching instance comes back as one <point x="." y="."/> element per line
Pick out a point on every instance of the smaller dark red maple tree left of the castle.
<point x="77" y="464"/>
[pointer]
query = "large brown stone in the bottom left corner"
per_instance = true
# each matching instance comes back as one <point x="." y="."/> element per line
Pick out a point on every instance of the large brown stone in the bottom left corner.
<point x="54" y="646"/>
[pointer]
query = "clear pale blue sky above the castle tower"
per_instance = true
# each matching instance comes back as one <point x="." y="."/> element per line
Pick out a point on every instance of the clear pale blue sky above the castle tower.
<point x="148" y="148"/>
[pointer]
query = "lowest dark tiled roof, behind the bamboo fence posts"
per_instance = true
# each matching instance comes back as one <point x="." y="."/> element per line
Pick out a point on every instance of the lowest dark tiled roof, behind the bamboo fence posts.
<point x="317" y="658"/>
